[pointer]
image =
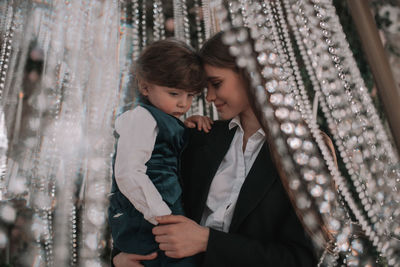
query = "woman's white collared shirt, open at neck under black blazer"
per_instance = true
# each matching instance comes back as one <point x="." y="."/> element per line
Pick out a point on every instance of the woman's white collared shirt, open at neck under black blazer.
<point x="229" y="178"/>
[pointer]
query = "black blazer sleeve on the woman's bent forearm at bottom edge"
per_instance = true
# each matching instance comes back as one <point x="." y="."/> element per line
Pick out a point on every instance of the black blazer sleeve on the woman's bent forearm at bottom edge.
<point x="293" y="248"/>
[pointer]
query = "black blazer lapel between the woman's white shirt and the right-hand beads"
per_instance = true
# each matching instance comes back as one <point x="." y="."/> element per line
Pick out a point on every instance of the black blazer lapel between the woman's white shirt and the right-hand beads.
<point x="257" y="183"/>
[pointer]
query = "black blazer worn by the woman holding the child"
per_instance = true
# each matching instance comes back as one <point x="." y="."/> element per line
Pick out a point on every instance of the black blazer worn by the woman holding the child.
<point x="265" y="230"/>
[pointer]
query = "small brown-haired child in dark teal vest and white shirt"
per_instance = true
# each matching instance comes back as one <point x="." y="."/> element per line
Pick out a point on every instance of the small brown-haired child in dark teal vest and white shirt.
<point x="150" y="139"/>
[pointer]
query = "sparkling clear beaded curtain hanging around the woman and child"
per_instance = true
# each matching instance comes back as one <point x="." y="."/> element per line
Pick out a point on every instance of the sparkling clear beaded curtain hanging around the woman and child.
<point x="65" y="74"/>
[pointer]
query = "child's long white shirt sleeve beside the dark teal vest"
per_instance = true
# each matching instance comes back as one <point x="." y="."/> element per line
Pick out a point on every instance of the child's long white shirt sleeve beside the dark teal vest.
<point x="137" y="131"/>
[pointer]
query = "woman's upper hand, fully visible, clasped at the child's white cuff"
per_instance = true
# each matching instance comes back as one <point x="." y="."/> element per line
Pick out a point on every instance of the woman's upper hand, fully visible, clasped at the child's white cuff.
<point x="180" y="237"/>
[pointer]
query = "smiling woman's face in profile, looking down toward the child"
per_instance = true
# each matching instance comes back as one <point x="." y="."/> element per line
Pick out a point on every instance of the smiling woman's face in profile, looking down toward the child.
<point x="227" y="90"/>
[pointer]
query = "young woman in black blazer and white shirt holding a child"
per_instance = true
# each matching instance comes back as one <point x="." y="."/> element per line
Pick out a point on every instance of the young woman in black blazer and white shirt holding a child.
<point x="240" y="214"/>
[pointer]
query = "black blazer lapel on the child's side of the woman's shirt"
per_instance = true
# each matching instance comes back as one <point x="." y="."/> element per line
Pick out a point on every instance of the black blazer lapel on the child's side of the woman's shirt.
<point x="214" y="150"/>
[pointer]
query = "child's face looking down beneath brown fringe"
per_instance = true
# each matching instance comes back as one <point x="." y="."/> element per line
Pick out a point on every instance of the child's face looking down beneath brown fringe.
<point x="172" y="101"/>
